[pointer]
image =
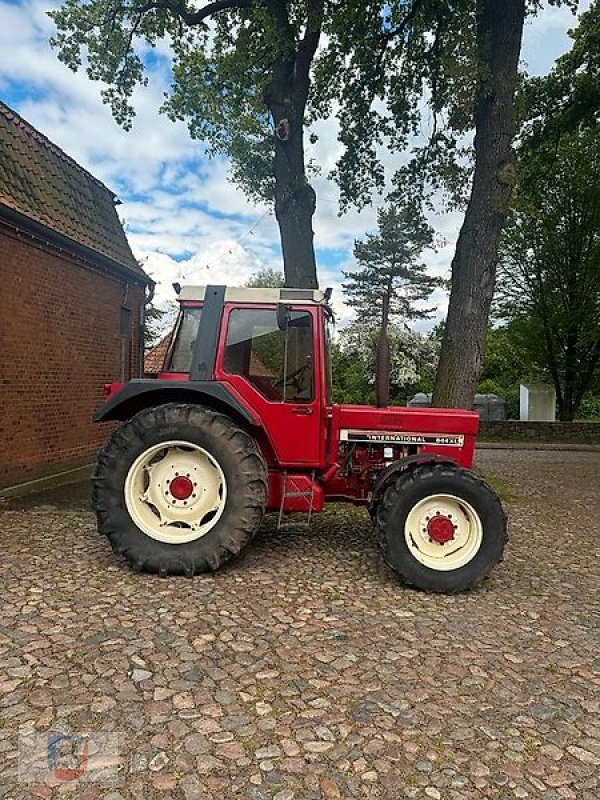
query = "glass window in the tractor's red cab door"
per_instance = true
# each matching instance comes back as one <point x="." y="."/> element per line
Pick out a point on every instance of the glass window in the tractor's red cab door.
<point x="278" y="363"/>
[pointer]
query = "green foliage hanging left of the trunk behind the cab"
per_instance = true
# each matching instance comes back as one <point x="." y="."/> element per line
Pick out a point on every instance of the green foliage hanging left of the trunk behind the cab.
<point x="222" y="64"/>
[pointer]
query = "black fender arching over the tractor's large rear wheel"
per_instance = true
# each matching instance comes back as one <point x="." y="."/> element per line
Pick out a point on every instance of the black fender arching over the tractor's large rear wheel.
<point x="142" y="393"/>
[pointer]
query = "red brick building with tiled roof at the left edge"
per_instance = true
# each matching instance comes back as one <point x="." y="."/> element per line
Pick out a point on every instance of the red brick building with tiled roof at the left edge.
<point x="71" y="305"/>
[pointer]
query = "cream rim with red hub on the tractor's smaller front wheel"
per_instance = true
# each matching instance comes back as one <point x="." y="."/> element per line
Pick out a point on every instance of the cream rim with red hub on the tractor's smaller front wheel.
<point x="443" y="532"/>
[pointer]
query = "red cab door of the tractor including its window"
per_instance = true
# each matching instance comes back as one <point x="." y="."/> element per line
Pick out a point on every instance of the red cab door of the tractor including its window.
<point x="275" y="366"/>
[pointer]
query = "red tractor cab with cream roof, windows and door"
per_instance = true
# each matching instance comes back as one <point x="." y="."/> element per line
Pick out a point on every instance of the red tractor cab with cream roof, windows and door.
<point x="269" y="348"/>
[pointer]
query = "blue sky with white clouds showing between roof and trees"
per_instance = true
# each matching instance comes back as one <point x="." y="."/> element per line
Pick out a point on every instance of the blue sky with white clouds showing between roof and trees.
<point x="185" y="220"/>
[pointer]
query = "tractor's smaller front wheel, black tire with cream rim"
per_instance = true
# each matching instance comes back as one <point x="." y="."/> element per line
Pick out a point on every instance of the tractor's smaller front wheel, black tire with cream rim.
<point x="441" y="528"/>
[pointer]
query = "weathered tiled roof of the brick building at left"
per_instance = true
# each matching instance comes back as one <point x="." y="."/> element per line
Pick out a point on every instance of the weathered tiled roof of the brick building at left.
<point x="43" y="183"/>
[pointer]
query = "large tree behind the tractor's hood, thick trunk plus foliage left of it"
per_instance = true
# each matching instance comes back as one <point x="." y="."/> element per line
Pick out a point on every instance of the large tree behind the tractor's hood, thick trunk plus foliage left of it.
<point x="458" y="60"/>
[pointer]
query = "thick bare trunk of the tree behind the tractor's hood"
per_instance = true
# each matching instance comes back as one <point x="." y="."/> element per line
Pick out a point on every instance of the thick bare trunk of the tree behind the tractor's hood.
<point x="499" y="33"/>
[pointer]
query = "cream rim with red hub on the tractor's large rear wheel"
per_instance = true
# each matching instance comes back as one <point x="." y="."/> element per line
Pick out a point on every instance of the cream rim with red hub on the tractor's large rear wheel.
<point x="175" y="492"/>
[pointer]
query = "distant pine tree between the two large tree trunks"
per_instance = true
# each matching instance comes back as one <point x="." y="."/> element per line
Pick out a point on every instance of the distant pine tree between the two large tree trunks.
<point x="389" y="267"/>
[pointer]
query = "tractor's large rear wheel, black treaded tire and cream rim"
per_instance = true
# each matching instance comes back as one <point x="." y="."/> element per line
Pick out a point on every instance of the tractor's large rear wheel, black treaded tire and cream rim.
<point x="179" y="489"/>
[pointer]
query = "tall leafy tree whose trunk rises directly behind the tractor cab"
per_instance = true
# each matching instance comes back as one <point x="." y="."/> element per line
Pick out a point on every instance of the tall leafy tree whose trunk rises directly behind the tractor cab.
<point x="241" y="79"/>
